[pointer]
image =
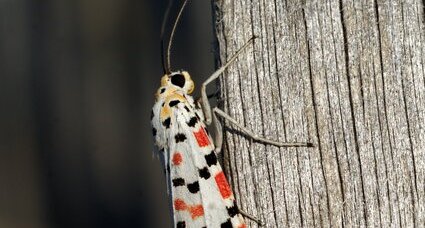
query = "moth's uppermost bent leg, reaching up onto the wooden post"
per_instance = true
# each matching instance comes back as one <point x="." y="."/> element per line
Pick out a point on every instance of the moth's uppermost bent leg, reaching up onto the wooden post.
<point x="205" y="103"/>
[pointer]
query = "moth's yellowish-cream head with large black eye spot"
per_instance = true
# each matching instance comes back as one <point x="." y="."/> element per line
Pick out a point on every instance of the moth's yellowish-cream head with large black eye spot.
<point x="180" y="80"/>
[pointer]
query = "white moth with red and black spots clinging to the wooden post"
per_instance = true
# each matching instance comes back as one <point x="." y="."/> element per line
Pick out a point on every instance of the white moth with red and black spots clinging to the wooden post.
<point x="199" y="192"/>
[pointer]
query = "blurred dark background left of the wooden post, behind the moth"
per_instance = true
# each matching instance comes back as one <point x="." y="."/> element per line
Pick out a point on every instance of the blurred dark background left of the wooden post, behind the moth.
<point x="76" y="89"/>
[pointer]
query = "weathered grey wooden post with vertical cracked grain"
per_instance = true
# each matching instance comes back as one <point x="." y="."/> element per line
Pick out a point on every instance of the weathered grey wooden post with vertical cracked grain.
<point x="345" y="75"/>
